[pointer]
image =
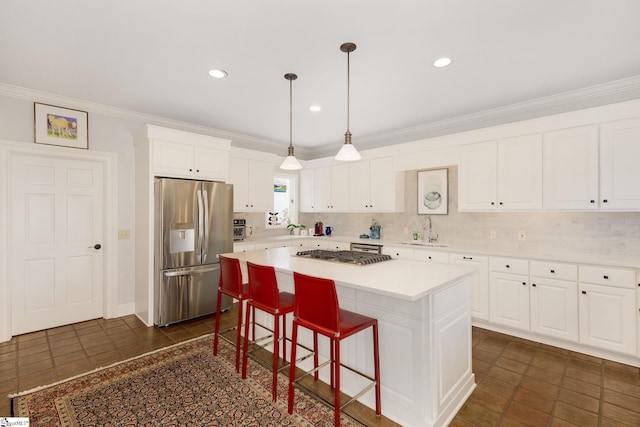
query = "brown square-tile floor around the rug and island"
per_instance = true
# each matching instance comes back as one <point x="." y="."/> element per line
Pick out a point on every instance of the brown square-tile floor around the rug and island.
<point x="520" y="383"/>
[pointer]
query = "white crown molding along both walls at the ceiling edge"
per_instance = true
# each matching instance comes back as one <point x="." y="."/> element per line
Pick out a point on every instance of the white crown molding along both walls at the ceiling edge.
<point x="592" y="96"/>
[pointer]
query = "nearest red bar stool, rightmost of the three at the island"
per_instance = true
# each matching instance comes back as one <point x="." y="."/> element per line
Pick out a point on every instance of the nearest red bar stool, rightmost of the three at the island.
<point x="316" y="308"/>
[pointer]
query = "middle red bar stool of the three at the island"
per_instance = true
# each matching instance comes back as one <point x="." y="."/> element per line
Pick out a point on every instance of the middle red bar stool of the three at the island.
<point x="264" y="296"/>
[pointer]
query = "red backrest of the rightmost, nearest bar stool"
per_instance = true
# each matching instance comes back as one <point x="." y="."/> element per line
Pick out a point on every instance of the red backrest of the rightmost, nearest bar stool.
<point x="316" y="302"/>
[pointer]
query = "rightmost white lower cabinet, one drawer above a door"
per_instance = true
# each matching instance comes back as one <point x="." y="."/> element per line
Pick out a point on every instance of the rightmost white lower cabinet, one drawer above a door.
<point x="608" y="309"/>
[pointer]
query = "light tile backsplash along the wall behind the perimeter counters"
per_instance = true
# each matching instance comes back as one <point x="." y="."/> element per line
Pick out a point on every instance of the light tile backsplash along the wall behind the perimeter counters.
<point x="607" y="233"/>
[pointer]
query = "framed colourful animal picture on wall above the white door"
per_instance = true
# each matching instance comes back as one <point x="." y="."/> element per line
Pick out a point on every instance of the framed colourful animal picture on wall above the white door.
<point x="60" y="126"/>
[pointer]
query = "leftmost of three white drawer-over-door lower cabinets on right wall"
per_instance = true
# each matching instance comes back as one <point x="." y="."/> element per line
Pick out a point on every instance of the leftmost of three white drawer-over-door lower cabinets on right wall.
<point x="509" y="292"/>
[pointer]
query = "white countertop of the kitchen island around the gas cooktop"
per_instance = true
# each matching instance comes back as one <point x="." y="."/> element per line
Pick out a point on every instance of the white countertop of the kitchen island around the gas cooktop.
<point x="402" y="279"/>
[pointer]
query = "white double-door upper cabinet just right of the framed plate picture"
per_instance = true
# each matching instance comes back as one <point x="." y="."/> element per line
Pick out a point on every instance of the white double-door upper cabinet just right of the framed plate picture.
<point x="502" y="175"/>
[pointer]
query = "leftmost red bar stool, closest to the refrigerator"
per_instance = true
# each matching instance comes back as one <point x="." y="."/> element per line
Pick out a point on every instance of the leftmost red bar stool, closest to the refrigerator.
<point x="231" y="284"/>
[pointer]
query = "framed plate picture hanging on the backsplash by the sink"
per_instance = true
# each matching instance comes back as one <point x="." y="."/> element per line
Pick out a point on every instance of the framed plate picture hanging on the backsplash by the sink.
<point x="433" y="191"/>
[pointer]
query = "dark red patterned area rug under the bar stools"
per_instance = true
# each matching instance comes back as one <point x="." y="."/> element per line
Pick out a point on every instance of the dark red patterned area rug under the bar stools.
<point x="183" y="385"/>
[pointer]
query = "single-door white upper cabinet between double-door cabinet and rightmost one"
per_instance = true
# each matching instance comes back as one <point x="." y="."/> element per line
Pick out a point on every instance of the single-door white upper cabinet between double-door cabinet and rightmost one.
<point x="571" y="169"/>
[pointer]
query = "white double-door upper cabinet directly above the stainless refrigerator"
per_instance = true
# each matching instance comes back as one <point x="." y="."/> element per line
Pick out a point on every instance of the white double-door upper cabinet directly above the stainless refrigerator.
<point x="188" y="160"/>
